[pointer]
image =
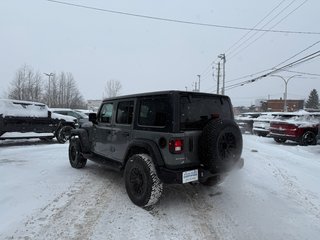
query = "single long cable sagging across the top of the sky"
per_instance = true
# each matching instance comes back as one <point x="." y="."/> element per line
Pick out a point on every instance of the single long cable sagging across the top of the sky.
<point x="182" y="21"/>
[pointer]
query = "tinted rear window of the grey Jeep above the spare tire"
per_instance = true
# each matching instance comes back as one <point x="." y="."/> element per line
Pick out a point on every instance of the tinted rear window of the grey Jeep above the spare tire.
<point x="197" y="110"/>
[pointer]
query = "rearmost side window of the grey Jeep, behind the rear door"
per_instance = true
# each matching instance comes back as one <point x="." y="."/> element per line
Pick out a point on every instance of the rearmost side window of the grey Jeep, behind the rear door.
<point x="153" y="112"/>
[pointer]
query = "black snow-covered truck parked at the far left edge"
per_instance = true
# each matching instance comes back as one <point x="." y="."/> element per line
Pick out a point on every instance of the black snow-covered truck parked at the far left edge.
<point x="25" y="119"/>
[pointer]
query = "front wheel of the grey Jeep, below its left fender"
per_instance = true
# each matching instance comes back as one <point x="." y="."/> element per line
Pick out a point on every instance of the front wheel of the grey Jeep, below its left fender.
<point x="76" y="158"/>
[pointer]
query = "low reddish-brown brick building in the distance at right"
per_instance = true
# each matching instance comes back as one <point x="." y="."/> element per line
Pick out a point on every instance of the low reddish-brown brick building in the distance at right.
<point x="277" y="105"/>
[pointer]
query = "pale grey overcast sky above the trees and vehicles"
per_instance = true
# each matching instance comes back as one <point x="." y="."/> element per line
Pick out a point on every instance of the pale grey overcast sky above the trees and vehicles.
<point x="151" y="55"/>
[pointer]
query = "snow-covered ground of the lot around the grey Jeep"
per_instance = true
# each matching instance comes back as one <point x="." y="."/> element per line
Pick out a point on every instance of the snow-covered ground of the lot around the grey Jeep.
<point x="275" y="196"/>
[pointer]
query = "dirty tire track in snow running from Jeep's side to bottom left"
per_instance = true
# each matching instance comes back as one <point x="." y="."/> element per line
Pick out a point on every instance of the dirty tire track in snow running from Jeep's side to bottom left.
<point x="74" y="213"/>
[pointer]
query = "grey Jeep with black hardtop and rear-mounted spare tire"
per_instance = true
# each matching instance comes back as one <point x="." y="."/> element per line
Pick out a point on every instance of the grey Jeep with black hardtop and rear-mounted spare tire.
<point x="161" y="137"/>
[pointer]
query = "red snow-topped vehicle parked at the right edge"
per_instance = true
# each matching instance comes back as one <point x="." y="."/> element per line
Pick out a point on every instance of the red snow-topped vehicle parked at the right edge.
<point x="302" y="129"/>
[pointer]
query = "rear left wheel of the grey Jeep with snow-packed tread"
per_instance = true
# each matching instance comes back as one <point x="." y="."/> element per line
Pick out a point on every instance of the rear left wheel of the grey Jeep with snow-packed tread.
<point x="143" y="186"/>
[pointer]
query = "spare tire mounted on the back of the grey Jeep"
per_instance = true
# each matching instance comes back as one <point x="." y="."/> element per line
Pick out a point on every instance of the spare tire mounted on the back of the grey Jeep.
<point x="220" y="145"/>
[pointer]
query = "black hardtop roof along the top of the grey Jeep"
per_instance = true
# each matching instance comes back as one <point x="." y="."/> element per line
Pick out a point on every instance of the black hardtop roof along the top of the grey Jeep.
<point x="148" y="94"/>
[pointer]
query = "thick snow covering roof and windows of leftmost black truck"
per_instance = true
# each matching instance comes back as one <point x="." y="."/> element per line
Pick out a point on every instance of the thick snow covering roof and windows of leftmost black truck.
<point x="18" y="108"/>
